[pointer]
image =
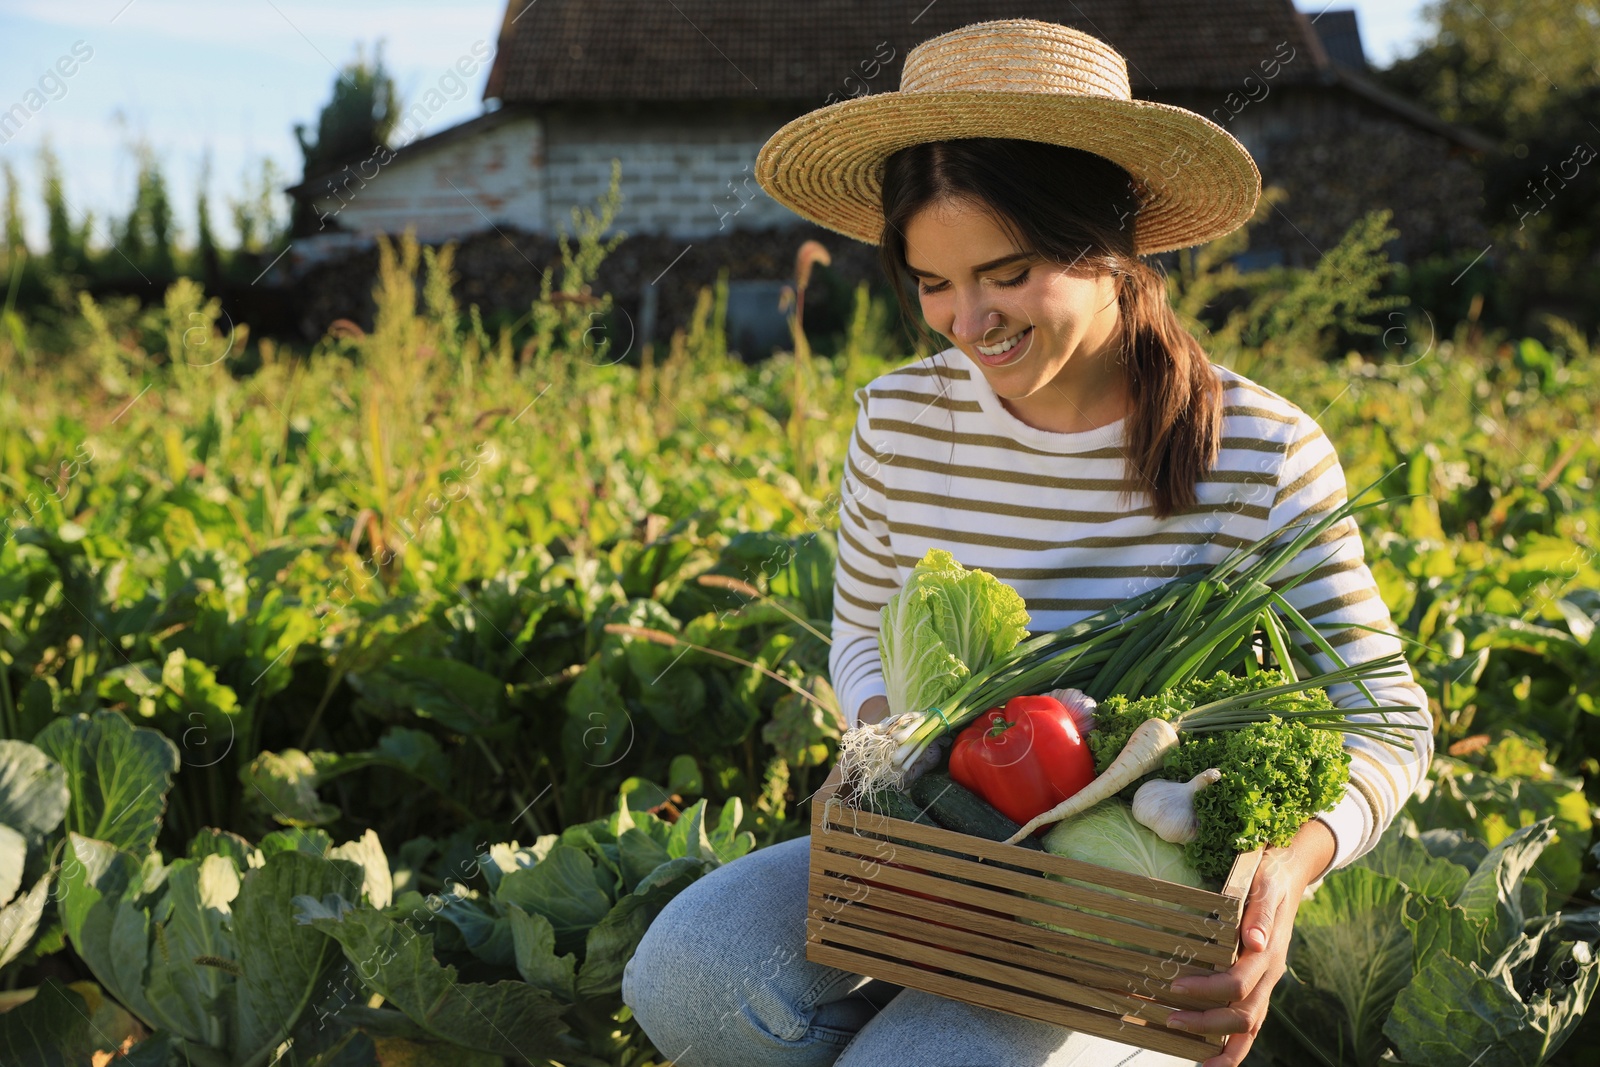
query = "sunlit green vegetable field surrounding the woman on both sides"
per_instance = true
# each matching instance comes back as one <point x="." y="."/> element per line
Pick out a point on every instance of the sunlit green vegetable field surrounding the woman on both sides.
<point x="311" y="649"/>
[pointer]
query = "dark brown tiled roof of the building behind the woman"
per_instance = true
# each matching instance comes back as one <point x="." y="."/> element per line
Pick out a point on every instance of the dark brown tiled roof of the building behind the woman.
<point x="687" y="50"/>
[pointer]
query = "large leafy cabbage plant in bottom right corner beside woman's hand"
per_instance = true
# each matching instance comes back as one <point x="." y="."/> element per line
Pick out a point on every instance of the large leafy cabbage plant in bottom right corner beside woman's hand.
<point x="1414" y="953"/>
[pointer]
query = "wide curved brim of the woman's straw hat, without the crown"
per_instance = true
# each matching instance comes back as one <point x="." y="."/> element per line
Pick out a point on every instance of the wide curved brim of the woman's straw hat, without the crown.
<point x="1196" y="180"/>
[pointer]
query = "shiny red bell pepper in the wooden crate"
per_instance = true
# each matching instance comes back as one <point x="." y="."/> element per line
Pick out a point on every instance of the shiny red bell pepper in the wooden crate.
<point x="1025" y="759"/>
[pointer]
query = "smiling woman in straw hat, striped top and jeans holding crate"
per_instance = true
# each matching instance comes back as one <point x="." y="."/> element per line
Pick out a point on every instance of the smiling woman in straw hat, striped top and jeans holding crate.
<point x="1074" y="442"/>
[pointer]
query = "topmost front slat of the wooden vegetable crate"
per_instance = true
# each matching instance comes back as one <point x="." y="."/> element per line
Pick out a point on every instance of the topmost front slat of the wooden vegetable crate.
<point x="841" y="820"/>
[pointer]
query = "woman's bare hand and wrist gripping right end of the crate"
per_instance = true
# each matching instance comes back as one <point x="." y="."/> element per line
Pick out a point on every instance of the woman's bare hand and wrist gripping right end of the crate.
<point x="1265" y="943"/>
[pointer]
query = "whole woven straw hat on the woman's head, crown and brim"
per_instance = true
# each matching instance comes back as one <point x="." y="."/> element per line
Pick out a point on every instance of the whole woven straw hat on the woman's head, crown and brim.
<point x="1015" y="79"/>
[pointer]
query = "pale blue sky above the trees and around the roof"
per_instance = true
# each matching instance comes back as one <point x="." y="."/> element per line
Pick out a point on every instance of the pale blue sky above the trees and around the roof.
<point x="233" y="78"/>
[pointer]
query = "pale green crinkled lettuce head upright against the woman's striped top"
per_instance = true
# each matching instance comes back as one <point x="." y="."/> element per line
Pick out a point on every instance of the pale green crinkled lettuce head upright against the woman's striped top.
<point x="942" y="626"/>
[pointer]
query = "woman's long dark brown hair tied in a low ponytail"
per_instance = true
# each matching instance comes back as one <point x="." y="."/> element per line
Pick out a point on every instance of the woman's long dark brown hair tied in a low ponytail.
<point x="1078" y="207"/>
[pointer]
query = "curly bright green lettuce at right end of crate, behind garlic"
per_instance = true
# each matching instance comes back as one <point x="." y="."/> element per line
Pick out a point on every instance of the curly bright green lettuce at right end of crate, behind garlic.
<point x="1276" y="773"/>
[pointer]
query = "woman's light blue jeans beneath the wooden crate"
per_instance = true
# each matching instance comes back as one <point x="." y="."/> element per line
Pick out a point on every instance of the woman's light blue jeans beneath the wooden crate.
<point x="721" y="980"/>
